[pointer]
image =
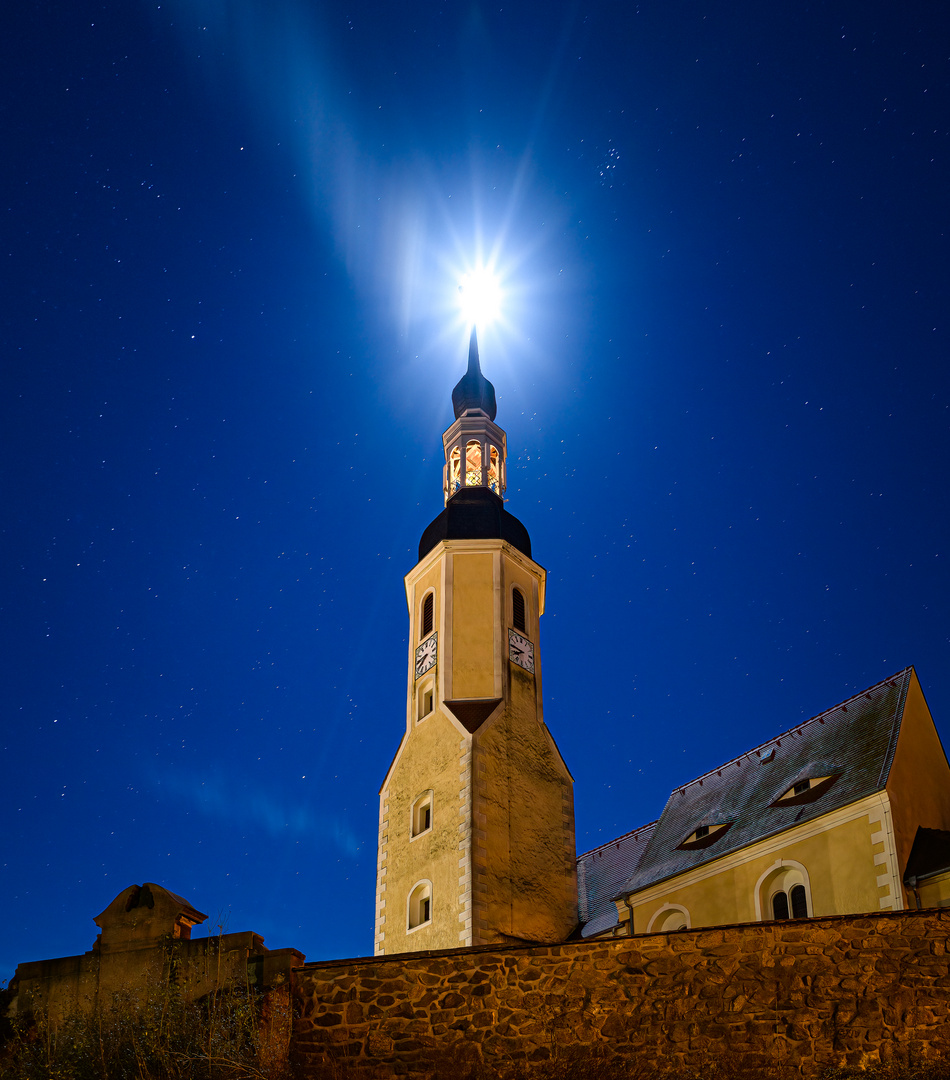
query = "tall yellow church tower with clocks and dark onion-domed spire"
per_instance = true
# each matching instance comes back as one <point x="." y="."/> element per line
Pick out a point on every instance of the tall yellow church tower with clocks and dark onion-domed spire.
<point x="477" y="834"/>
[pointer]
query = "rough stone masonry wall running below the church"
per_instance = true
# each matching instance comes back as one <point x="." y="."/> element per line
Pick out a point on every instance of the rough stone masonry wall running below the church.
<point x="777" y="1000"/>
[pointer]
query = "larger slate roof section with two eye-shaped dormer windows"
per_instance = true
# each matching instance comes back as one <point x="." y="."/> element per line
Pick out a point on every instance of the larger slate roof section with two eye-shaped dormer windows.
<point x="856" y="739"/>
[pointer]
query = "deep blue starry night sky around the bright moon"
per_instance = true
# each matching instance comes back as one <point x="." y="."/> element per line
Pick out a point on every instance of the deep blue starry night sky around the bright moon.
<point x="229" y="231"/>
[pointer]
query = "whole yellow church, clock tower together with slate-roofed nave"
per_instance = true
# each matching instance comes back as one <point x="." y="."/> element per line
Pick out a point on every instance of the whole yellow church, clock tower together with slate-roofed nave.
<point x="844" y="814"/>
